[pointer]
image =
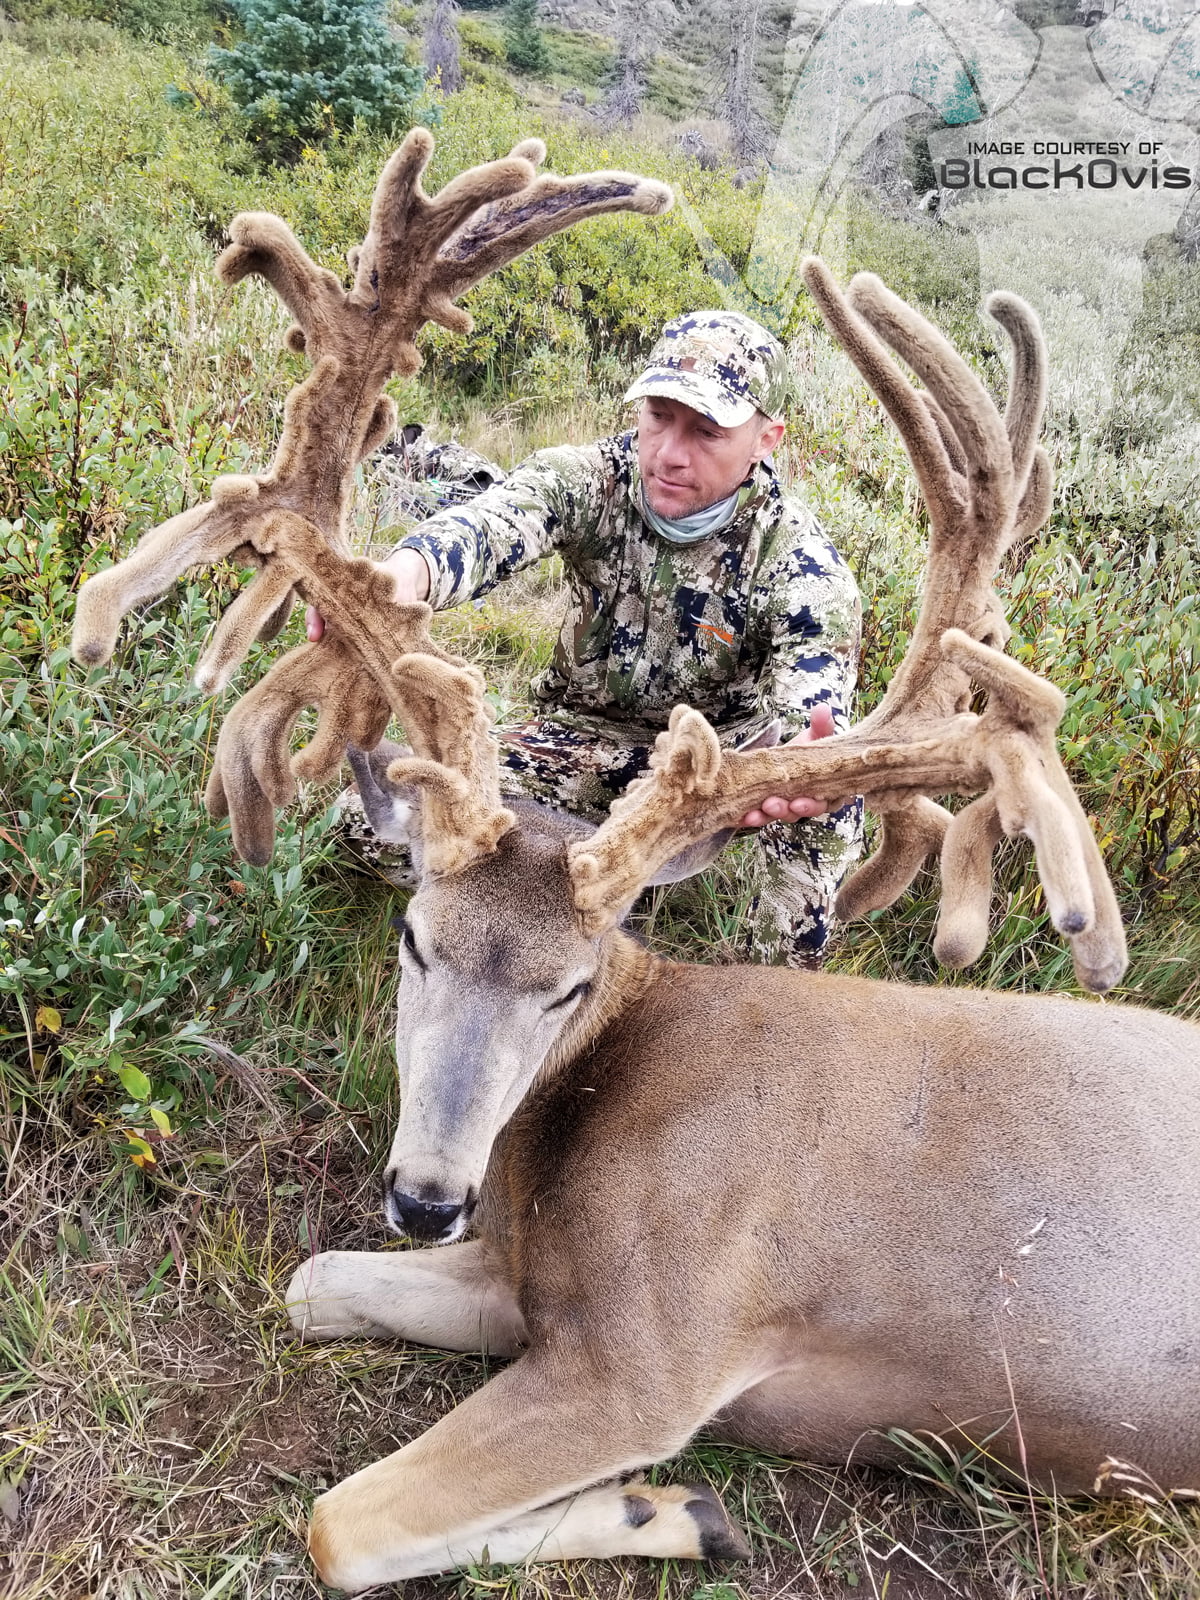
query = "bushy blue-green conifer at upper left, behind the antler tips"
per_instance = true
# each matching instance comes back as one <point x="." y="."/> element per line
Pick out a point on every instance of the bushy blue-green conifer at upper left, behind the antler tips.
<point x="305" y="71"/>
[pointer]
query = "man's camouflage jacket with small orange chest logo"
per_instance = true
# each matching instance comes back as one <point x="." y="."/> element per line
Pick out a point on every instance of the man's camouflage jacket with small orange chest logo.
<point x="759" y="620"/>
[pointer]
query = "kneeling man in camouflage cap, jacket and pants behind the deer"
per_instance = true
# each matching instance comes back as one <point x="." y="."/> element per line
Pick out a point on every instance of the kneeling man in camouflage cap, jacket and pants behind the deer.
<point x="694" y="578"/>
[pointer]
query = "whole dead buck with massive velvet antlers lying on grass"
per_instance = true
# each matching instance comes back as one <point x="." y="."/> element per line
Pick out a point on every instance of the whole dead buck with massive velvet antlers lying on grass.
<point x="796" y="1210"/>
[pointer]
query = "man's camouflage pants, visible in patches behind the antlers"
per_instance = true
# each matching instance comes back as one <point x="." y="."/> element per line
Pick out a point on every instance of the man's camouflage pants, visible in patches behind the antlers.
<point x="796" y="866"/>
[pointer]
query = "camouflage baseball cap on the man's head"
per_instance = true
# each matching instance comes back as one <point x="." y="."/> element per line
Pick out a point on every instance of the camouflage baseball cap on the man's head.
<point x="721" y="364"/>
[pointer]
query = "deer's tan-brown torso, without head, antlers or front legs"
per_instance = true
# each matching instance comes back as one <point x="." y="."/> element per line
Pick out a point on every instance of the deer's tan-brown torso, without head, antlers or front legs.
<point x="865" y="1170"/>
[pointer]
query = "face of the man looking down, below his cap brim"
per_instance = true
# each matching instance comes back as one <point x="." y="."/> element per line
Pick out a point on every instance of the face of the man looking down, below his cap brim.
<point x="687" y="462"/>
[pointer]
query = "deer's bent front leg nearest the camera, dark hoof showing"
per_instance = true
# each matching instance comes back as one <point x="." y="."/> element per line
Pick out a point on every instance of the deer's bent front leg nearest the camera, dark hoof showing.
<point x="510" y="1476"/>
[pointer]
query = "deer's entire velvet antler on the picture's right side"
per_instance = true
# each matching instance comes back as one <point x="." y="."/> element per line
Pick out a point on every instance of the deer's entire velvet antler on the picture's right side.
<point x="986" y="482"/>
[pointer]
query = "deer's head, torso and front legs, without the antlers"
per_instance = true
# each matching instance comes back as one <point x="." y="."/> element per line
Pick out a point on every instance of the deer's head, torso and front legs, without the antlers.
<point x="798" y="1210"/>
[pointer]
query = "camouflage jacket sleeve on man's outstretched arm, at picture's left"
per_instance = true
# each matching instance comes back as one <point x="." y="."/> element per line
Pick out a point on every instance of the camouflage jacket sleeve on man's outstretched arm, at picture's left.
<point x="551" y="503"/>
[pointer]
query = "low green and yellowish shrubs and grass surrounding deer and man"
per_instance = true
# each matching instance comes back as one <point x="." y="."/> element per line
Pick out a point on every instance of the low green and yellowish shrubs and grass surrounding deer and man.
<point x="194" y="1062"/>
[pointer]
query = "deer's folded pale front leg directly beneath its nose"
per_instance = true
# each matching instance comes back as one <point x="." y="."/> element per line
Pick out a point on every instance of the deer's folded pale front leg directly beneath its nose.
<point x="454" y="1298"/>
